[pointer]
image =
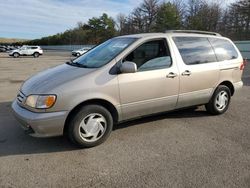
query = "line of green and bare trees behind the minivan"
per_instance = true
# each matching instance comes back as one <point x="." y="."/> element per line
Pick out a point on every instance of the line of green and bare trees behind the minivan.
<point x="154" y="16"/>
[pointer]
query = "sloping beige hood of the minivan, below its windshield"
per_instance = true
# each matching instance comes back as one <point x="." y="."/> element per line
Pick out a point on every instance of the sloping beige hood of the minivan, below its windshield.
<point x="45" y="81"/>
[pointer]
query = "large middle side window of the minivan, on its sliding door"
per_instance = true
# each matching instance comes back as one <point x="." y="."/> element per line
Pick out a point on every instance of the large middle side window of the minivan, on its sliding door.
<point x="195" y="50"/>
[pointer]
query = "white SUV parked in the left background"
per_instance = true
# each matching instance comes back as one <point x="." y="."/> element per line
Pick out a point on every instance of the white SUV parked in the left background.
<point x="34" y="51"/>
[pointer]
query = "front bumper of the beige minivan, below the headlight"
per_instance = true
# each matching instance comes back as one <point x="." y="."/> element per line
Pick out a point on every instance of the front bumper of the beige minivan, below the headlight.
<point x="40" y="124"/>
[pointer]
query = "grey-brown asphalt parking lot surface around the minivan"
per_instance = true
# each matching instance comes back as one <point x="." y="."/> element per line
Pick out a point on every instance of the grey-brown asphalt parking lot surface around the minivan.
<point x="187" y="148"/>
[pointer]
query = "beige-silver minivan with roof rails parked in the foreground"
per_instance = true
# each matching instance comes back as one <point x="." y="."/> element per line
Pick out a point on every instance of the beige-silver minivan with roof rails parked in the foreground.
<point x="128" y="77"/>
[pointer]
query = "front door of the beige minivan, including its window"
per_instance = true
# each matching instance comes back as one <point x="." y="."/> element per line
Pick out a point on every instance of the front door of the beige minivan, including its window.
<point x="154" y="87"/>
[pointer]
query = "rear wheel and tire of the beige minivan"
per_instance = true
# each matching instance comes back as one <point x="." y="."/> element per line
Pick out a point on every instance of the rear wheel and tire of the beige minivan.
<point x="220" y="101"/>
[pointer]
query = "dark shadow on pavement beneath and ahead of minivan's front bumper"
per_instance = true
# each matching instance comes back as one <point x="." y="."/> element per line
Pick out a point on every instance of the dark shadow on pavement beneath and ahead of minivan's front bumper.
<point x="13" y="140"/>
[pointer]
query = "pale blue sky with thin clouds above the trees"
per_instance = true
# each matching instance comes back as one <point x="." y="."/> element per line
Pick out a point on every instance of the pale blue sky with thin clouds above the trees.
<point x="30" y="19"/>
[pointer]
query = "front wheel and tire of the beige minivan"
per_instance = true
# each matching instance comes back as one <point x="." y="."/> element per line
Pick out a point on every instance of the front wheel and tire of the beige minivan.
<point x="90" y="126"/>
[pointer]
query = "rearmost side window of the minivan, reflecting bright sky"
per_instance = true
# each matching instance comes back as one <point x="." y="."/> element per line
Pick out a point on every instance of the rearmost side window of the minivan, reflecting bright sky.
<point x="224" y="50"/>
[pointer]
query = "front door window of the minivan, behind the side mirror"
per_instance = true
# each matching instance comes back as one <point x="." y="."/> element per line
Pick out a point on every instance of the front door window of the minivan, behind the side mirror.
<point x="151" y="55"/>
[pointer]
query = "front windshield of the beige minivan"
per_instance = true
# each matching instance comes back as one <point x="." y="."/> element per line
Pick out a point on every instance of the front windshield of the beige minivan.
<point x="103" y="53"/>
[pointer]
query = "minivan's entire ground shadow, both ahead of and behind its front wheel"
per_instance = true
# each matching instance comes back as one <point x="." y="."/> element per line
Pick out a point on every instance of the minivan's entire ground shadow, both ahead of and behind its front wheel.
<point x="13" y="140"/>
